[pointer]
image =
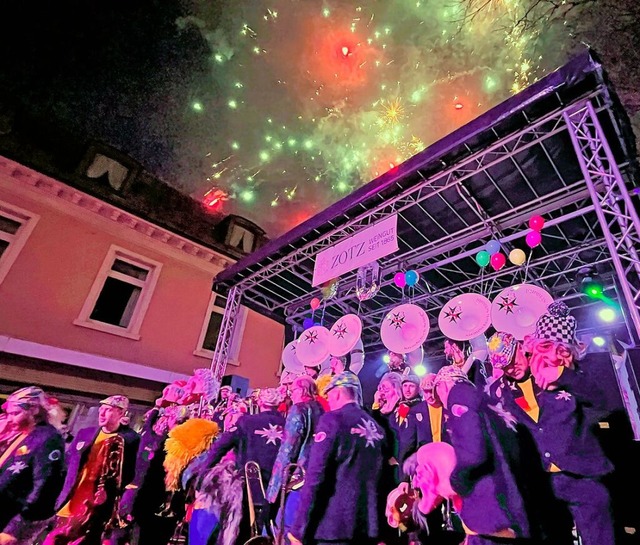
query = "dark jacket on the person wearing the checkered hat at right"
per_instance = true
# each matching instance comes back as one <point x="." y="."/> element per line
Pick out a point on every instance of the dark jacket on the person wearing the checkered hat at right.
<point x="563" y="433"/>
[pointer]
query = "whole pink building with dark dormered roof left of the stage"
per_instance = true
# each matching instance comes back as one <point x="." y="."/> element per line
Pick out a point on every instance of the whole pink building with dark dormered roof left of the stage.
<point x="104" y="292"/>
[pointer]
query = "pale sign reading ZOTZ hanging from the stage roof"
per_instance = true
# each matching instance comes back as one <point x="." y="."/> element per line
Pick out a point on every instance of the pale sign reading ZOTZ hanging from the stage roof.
<point x="364" y="247"/>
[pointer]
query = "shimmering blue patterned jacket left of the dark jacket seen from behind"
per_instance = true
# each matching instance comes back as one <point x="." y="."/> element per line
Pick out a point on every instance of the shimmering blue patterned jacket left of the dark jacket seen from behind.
<point x="296" y="443"/>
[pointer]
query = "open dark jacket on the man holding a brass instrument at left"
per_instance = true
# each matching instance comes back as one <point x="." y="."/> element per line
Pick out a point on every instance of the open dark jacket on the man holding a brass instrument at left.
<point x="78" y="452"/>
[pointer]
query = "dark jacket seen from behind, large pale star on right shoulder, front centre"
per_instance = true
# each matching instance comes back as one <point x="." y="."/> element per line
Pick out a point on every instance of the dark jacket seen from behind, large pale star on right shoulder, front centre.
<point x="340" y="498"/>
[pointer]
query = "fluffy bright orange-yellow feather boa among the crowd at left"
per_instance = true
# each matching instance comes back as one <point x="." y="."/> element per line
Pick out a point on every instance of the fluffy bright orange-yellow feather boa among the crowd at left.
<point x="185" y="442"/>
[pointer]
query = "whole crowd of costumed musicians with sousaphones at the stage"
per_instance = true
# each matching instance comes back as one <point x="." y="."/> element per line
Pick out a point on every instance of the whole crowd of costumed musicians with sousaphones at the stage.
<point x="497" y="446"/>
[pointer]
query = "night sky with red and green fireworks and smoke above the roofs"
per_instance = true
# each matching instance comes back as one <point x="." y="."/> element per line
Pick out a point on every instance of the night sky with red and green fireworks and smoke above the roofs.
<point x="274" y="110"/>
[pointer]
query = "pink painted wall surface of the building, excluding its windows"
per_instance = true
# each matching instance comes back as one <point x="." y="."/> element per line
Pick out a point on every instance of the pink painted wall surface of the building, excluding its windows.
<point x="46" y="288"/>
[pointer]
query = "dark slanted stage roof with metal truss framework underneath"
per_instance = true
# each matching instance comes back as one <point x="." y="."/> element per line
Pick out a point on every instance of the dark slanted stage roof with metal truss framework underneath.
<point x="483" y="181"/>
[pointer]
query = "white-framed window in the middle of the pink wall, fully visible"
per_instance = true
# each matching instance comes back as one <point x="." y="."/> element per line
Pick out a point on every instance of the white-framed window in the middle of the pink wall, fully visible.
<point x="120" y="294"/>
